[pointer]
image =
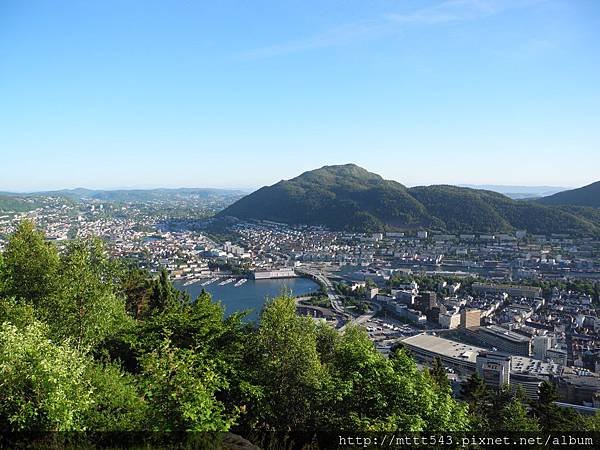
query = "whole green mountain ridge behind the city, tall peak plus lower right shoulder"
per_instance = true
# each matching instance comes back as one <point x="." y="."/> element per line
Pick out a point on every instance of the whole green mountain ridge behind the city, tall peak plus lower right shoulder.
<point x="348" y="197"/>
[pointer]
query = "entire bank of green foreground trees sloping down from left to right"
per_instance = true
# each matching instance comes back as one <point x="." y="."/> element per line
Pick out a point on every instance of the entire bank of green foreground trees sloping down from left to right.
<point x="100" y="346"/>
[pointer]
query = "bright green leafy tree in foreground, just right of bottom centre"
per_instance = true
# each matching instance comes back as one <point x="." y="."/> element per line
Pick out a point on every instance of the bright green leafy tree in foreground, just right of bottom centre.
<point x="372" y="392"/>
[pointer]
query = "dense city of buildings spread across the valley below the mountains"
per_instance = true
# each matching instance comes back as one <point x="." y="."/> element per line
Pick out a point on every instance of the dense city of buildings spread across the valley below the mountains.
<point x="517" y="308"/>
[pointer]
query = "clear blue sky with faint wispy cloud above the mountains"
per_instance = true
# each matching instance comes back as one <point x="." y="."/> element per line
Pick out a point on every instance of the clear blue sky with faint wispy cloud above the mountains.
<point x="126" y="93"/>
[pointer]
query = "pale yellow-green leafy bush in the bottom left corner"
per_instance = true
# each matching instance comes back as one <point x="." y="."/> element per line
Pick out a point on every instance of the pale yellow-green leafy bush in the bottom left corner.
<point x="42" y="384"/>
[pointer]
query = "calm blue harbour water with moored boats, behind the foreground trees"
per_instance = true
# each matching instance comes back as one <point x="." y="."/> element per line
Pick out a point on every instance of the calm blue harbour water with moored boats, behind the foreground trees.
<point x="250" y="295"/>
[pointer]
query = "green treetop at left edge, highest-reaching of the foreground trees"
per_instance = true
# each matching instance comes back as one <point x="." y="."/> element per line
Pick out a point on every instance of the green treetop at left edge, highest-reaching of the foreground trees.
<point x="30" y="265"/>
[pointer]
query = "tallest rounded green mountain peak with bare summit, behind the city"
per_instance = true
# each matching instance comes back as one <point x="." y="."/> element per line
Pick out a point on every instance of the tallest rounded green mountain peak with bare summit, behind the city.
<point x="341" y="197"/>
